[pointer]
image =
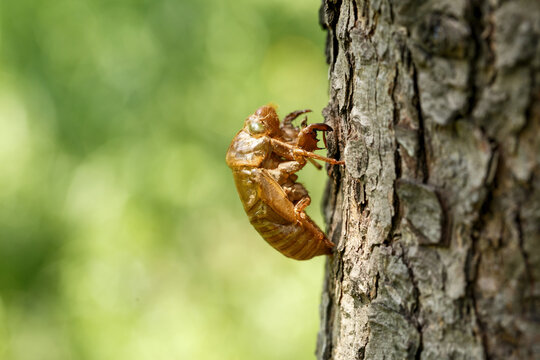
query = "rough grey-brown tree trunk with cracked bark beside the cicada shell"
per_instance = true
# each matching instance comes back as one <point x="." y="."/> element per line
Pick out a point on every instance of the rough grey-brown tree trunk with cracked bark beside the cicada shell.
<point x="436" y="217"/>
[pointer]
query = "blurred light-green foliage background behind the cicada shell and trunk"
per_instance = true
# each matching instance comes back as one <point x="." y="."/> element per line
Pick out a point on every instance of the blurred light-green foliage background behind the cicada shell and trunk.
<point x="121" y="233"/>
